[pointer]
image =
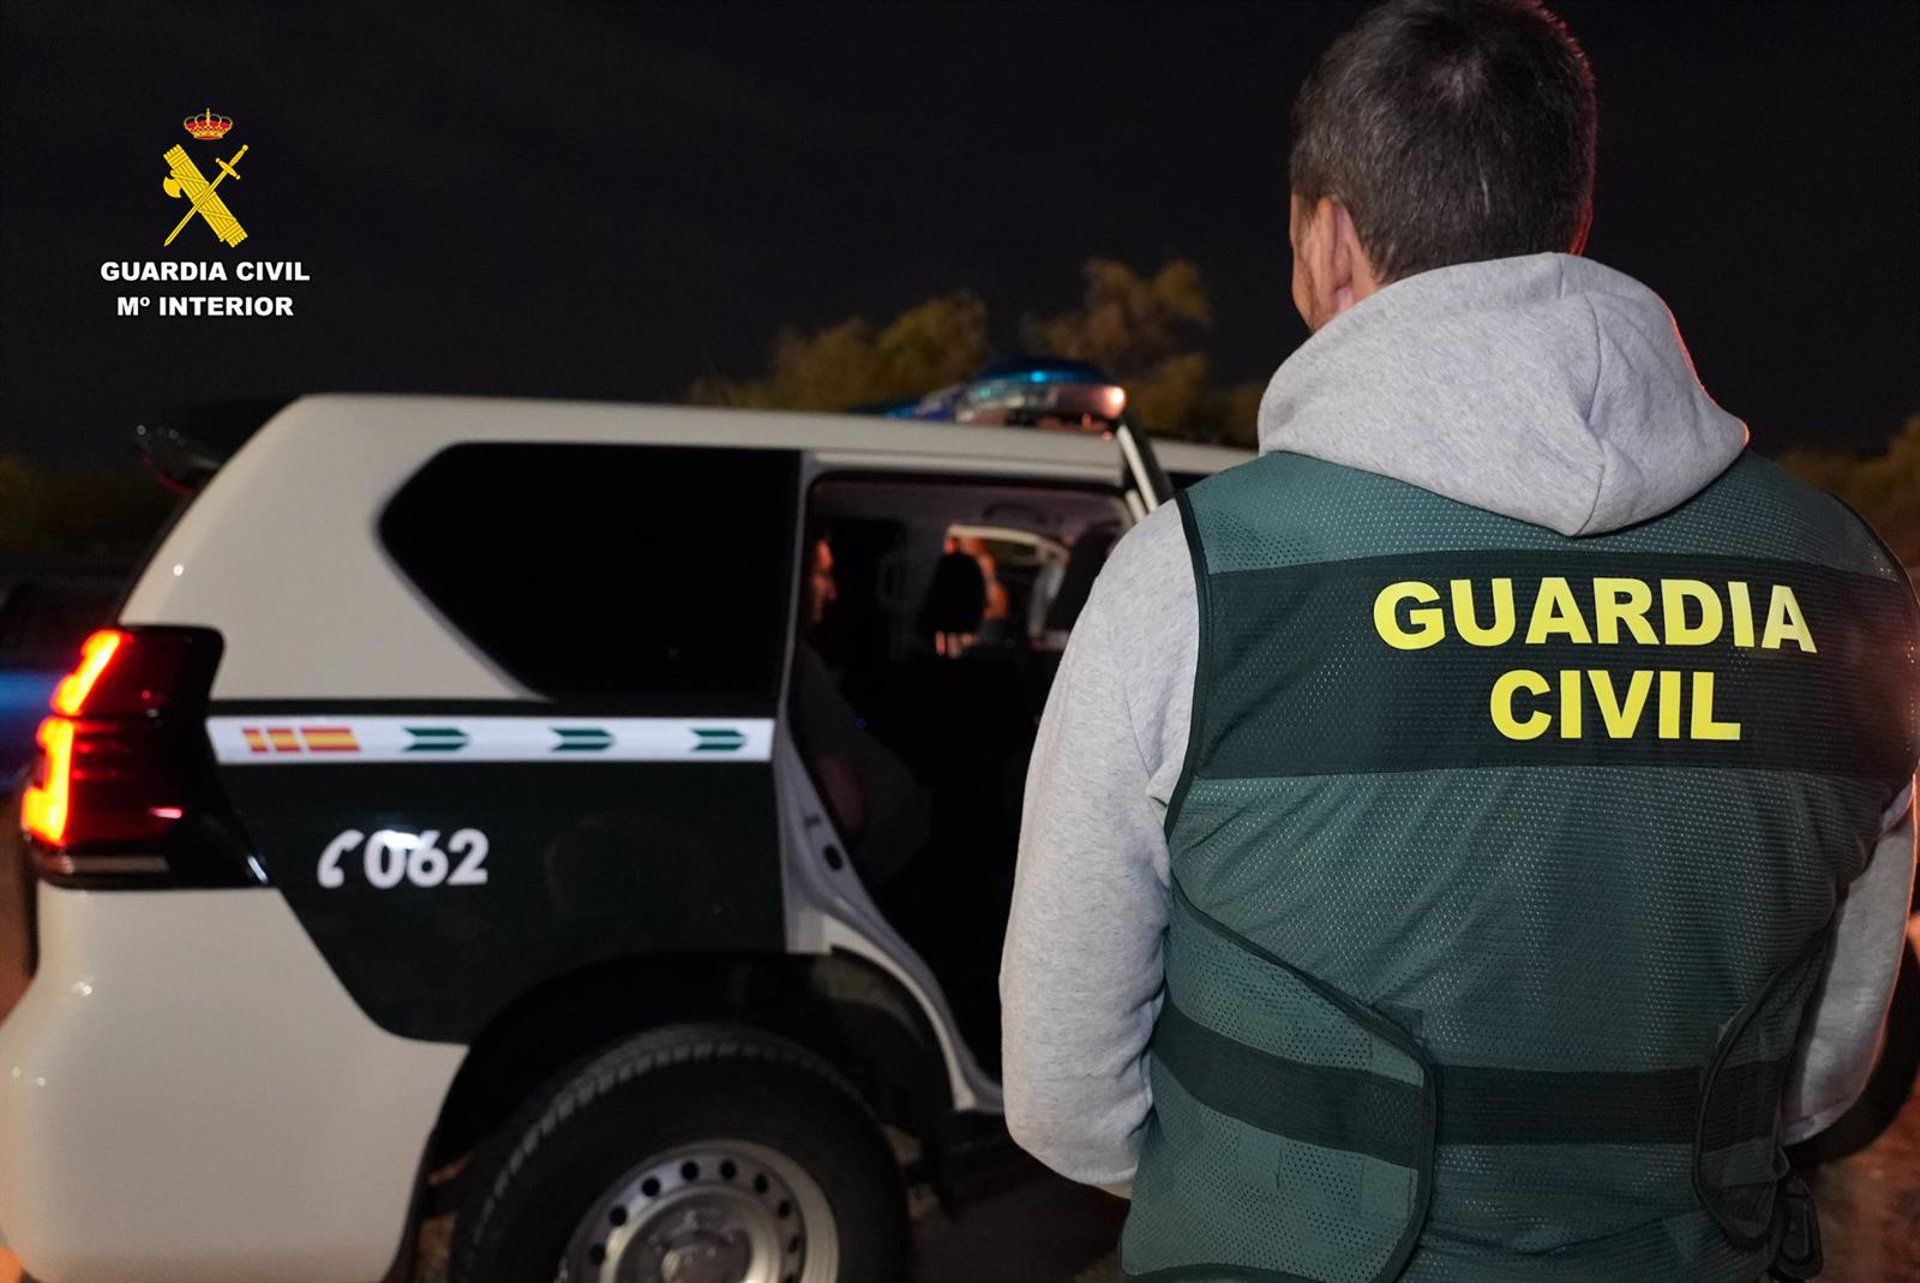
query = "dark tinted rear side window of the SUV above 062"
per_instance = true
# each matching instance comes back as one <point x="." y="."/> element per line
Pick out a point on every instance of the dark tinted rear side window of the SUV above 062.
<point x="636" y="577"/>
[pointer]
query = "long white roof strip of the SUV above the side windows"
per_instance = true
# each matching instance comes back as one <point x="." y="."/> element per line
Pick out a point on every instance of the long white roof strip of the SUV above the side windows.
<point x="481" y="418"/>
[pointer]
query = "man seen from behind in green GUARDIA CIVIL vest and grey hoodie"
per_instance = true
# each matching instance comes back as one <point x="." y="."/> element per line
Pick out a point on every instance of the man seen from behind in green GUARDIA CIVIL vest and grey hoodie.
<point x="1472" y="838"/>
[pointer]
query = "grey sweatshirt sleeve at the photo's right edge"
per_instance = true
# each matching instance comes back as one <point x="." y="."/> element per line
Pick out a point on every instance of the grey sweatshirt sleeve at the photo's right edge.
<point x="1836" y="1053"/>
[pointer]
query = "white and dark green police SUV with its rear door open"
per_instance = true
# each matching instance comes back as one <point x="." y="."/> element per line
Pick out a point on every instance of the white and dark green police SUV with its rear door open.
<point x="594" y="821"/>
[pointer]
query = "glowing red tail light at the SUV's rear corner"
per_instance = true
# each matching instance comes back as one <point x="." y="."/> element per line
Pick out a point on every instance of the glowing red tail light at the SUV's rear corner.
<point x="124" y="763"/>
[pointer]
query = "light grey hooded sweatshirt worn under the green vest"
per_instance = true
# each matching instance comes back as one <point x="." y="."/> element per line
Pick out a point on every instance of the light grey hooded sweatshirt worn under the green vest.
<point x="1547" y="389"/>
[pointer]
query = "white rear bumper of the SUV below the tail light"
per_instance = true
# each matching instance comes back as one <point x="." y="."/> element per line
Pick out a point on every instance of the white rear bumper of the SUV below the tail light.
<point x="189" y="1096"/>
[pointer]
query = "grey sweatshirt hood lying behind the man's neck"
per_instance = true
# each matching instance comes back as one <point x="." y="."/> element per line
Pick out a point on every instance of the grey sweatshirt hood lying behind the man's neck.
<point x="1545" y="387"/>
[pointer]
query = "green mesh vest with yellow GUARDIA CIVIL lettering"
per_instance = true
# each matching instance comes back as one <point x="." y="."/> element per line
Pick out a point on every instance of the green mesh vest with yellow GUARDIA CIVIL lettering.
<point x="1504" y="871"/>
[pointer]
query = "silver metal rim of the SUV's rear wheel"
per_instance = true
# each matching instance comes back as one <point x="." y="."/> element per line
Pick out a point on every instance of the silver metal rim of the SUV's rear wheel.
<point x="708" y="1213"/>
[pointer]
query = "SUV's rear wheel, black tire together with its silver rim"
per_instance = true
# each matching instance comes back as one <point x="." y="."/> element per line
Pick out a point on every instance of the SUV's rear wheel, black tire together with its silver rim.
<point x="690" y="1153"/>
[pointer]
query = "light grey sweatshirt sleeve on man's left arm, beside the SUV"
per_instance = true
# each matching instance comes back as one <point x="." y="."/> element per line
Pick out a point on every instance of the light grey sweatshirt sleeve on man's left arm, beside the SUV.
<point x="1082" y="973"/>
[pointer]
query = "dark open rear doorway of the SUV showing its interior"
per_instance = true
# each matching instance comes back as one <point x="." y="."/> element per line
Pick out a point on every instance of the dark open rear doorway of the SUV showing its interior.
<point x="926" y="646"/>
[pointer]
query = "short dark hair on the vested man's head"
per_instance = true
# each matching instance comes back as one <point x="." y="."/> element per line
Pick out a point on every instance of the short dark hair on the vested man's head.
<point x="1452" y="132"/>
